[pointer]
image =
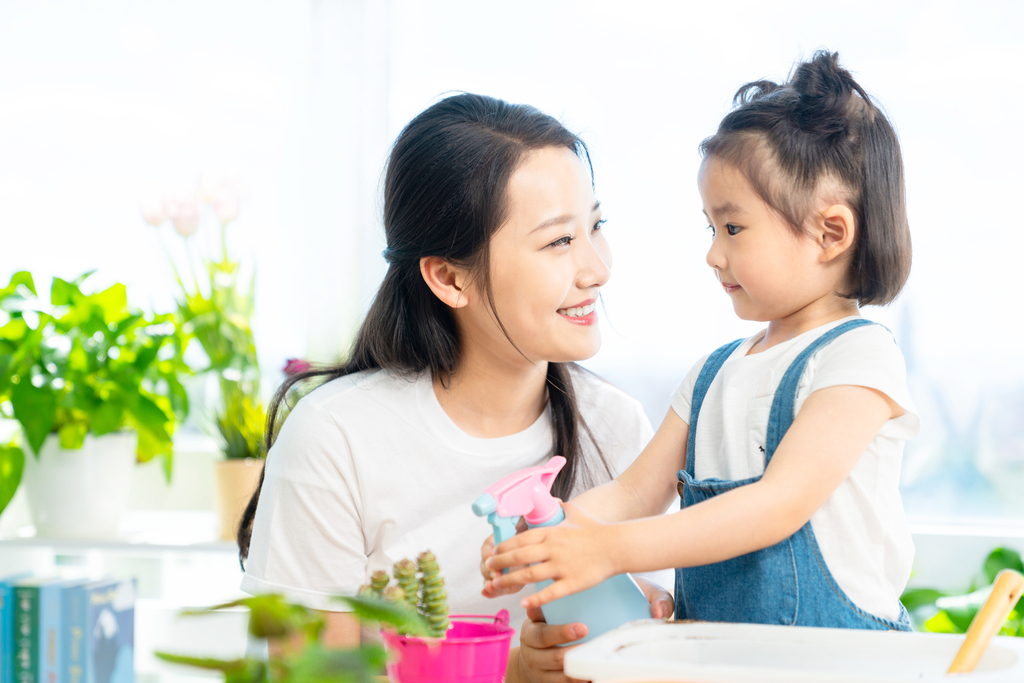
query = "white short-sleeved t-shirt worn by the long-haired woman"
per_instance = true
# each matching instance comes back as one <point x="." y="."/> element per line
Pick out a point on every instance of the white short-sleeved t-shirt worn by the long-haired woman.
<point x="369" y="469"/>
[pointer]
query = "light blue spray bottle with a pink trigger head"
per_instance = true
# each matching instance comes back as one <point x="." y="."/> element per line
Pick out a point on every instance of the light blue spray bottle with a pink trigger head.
<point x="528" y="494"/>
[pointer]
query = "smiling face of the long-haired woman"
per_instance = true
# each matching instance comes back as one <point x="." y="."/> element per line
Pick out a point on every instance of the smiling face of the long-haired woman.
<point x="548" y="263"/>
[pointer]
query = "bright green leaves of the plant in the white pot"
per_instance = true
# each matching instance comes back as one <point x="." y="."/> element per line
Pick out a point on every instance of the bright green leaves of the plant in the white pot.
<point x="84" y="364"/>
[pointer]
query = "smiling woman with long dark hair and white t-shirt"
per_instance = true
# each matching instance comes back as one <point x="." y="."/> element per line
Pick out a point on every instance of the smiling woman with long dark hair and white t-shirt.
<point x="462" y="373"/>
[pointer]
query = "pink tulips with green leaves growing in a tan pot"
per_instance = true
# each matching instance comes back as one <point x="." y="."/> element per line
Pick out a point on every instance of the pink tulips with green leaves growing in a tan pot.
<point x="216" y="308"/>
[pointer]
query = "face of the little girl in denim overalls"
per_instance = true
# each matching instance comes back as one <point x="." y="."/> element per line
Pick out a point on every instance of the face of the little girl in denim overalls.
<point x="769" y="271"/>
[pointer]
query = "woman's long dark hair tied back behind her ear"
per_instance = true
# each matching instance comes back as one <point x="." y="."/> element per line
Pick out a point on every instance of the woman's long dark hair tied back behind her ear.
<point x="445" y="195"/>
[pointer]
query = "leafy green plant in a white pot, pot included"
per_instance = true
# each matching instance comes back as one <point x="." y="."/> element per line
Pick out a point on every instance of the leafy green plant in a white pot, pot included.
<point x="96" y="387"/>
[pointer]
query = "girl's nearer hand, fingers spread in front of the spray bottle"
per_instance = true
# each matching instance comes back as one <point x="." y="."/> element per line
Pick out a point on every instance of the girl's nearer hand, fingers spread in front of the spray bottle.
<point x="578" y="554"/>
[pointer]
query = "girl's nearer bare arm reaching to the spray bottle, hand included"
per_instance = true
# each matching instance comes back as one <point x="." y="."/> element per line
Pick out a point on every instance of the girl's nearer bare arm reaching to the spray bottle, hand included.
<point x="831" y="433"/>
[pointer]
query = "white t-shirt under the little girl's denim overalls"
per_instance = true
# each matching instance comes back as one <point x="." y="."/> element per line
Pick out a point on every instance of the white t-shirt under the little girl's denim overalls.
<point x="862" y="529"/>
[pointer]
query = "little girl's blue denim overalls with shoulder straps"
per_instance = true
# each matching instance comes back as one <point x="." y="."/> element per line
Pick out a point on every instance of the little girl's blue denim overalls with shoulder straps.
<point x="788" y="583"/>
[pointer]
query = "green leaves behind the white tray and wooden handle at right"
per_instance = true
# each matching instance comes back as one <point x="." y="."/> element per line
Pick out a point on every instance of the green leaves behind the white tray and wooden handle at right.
<point x="942" y="612"/>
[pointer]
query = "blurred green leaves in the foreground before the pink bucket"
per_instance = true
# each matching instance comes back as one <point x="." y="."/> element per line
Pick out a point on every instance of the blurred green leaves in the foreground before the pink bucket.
<point x="307" y="661"/>
